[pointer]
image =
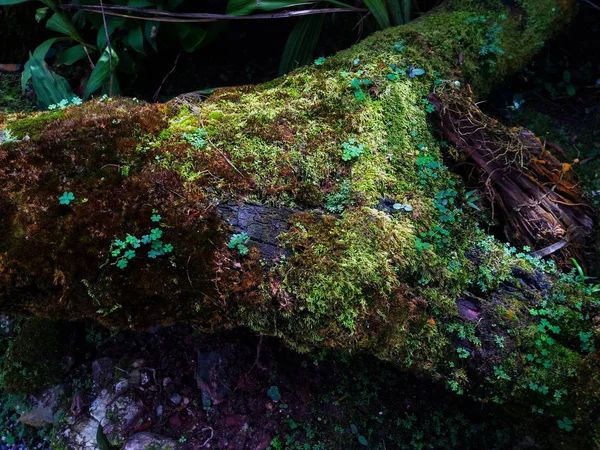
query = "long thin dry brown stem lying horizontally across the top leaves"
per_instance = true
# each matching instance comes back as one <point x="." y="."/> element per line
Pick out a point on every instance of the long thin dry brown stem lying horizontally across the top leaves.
<point x="165" y="16"/>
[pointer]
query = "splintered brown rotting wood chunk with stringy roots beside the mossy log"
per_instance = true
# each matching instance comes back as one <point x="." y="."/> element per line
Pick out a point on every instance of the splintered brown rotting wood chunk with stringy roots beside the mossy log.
<point x="539" y="196"/>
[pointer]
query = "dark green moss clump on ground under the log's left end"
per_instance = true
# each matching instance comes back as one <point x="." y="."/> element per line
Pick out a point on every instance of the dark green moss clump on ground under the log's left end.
<point x="33" y="361"/>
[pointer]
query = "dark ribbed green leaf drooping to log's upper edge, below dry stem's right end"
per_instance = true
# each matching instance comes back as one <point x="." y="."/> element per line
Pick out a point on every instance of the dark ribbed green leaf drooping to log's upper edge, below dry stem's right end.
<point x="301" y="43"/>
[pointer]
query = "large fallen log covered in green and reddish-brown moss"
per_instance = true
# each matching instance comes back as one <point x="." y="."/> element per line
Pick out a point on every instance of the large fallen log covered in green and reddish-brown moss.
<point x="317" y="208"/>
